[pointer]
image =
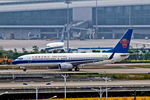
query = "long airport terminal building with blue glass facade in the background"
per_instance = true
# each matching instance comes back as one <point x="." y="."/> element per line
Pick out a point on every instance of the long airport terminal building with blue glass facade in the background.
<point x="35" y="19"/>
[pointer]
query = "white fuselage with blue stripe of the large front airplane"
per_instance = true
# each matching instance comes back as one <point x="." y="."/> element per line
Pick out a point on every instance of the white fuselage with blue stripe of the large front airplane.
<point x="56" y="59"/>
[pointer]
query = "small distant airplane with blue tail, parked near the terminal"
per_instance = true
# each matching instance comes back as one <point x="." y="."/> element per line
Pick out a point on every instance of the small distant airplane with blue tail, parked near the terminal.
<point x="56" y="45"/>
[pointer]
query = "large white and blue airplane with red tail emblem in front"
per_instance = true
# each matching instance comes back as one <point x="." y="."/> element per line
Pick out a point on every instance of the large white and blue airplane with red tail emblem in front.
<point x="69" y="61"/>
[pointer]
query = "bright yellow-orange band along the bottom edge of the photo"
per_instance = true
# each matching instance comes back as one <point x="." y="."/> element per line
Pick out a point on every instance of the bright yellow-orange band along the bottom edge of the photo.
<point x="104" y="98"/>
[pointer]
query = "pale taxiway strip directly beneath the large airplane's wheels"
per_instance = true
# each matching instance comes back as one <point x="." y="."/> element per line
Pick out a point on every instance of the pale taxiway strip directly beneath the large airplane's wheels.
<point x="55" y="71"/>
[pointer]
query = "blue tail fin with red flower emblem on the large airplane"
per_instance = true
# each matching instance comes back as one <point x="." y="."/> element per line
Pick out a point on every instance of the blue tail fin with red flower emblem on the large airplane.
<point x="123" y="44"/>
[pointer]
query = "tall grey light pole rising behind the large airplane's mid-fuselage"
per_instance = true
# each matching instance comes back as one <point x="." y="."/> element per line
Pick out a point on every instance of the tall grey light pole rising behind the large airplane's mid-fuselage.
<point x="67" y="28"/>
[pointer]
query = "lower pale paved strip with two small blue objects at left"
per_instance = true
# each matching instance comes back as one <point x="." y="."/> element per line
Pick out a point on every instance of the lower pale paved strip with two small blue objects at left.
<point x="139" y="83"/>
